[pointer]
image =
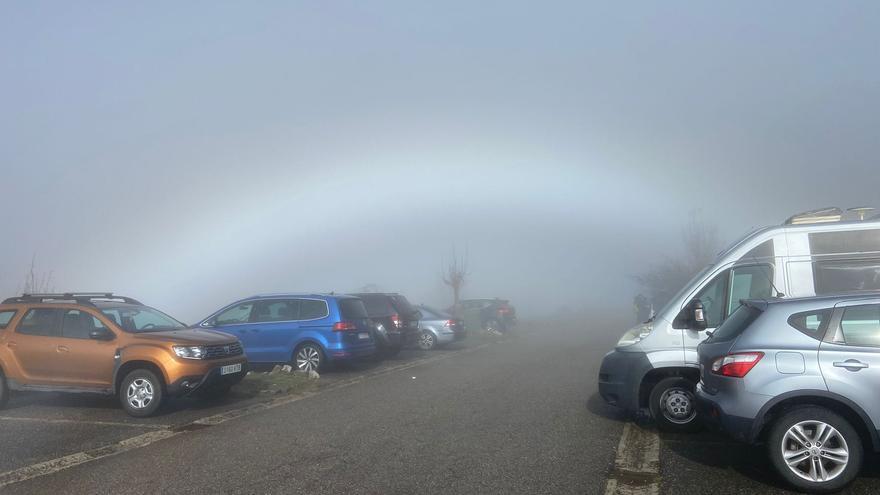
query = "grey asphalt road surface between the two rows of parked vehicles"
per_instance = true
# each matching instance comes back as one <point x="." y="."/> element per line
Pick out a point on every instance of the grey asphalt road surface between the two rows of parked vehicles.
<point x="516" y="416"/>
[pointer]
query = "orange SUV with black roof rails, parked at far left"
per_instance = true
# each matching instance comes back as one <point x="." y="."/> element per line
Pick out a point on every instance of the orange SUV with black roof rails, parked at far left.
<point x="101" y="343"/>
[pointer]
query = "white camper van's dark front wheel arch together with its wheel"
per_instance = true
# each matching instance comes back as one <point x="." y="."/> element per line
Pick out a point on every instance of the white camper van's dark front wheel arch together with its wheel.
<point x="668" y="393"/>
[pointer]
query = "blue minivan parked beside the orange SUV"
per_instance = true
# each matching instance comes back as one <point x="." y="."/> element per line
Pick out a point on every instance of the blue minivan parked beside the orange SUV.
<point x="307" y="331"/>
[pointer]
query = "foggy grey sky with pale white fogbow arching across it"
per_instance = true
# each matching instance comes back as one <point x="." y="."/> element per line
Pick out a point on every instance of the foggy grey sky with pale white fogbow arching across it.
<point x="195" y="152"/>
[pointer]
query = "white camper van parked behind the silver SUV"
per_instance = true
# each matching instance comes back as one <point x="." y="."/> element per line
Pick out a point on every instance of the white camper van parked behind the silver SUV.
<point x="654" y="369"/>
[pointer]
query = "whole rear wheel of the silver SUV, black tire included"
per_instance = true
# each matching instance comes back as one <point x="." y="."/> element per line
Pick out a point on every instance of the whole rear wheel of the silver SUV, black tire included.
<point x="813" y="421"/>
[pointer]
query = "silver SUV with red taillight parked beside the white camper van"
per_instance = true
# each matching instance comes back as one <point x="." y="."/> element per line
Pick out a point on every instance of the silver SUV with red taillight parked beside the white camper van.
<point x="801" y="376"/>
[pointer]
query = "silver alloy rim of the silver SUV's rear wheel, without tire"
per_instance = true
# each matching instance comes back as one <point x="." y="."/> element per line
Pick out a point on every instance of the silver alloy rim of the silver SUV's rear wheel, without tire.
<point x="815" y="451"/>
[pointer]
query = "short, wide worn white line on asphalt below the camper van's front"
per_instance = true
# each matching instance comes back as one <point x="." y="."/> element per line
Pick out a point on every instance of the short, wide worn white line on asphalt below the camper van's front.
<point x="637" y="465"/>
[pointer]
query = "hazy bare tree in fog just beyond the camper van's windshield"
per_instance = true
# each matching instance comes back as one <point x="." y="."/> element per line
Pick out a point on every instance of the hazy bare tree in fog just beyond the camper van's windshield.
<point x="700" y="245"/>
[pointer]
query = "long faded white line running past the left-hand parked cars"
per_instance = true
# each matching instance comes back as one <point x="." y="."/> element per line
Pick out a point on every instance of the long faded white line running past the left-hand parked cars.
<point x="140" y="441"/>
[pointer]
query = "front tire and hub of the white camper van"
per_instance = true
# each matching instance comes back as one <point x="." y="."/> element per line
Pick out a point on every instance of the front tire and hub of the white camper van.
<point x="673" y="405"/>
